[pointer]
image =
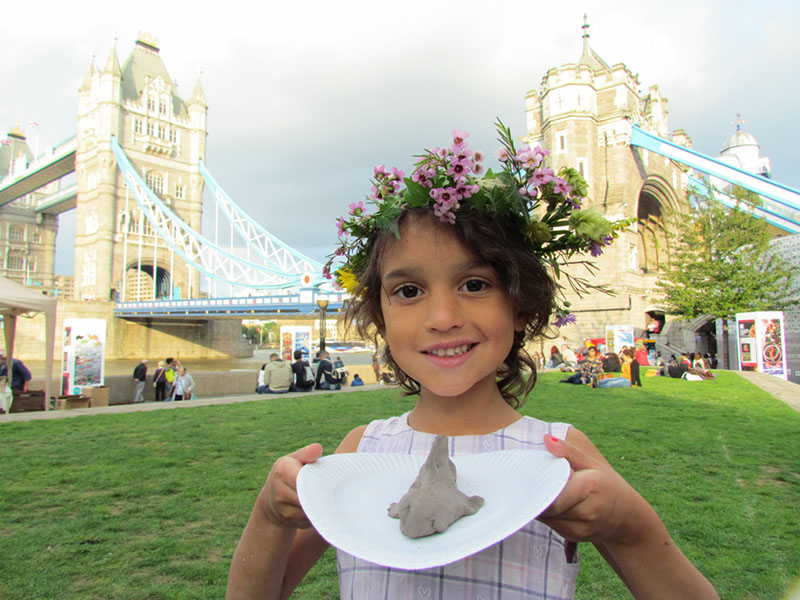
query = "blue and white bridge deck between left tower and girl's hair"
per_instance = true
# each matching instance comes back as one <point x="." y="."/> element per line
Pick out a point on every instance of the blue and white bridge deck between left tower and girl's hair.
<point x="247" y="307"/>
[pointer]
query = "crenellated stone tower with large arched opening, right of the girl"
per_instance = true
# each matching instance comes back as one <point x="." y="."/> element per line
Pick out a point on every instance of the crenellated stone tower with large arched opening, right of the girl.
<point x="583" y="113"/>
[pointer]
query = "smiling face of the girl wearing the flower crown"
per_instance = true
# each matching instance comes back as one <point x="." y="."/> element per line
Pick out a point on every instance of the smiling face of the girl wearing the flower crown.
<point x="447" y="318"/>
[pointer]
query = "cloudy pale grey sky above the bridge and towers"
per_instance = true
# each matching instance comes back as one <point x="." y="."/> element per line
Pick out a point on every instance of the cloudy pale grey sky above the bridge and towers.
<point x="305" y="98"/>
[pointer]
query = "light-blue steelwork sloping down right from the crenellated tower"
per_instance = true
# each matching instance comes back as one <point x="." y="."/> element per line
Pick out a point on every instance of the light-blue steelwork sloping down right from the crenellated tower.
<point x="780" y="201"/>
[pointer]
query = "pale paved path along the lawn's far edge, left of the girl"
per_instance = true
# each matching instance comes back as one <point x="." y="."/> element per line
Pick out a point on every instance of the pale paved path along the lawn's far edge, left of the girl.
<point x="148" y="406"/>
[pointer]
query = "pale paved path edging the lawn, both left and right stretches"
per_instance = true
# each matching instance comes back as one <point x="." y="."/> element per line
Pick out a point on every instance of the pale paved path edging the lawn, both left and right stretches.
<point x="781" y="389"/>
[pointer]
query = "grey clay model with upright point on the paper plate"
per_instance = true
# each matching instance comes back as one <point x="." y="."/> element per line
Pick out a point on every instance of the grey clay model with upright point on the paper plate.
<point x="433" y="502"/>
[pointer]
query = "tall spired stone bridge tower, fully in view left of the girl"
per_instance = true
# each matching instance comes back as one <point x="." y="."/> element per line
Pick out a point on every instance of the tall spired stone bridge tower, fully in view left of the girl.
<point x="164" y="136"/>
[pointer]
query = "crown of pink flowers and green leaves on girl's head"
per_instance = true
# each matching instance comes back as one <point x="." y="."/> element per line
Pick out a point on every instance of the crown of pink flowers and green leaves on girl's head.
<point x="546" y="207"/>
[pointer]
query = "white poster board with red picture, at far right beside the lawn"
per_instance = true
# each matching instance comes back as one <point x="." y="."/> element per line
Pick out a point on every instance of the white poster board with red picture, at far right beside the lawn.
<point x="761" y="343"/>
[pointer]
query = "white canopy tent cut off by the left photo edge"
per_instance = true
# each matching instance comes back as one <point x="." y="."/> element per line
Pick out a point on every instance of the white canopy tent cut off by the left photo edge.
<point x="16" y="300"/>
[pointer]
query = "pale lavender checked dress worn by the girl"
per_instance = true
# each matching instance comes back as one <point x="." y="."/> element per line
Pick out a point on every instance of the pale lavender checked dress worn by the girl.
<point x="528" y="564"/>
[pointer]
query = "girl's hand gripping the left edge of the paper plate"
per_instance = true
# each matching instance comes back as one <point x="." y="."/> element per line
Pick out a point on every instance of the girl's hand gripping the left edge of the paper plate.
<point x="278" y="498"/>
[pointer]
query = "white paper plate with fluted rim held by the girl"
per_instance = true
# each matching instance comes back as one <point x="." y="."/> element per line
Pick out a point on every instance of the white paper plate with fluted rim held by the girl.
<point x="345" y="496"/>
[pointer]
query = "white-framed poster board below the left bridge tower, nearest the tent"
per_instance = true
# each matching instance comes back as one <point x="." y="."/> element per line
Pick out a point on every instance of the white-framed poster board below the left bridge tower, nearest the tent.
<point x="83" y="357"/>
